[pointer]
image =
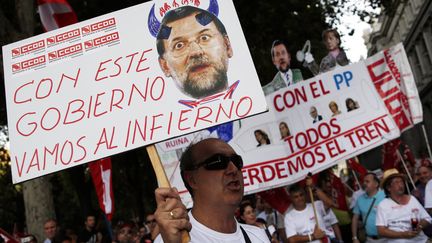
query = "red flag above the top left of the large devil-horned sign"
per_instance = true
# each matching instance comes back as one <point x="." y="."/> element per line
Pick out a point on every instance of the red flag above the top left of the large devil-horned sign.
<point x="55" y="14"/>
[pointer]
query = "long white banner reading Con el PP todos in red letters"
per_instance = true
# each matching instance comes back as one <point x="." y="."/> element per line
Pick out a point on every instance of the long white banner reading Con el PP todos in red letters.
<point x="315" y="123"/>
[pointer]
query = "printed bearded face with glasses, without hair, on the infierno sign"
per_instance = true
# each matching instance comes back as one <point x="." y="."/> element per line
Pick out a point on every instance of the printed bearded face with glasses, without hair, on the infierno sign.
<point x="196" y="57"/>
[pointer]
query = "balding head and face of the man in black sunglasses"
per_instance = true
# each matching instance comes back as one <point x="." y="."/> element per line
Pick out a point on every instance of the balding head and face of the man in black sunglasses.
<point x="215" y="187"/>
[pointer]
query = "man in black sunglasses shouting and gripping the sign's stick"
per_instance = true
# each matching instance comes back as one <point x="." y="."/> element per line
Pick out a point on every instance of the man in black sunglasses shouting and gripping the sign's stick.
<point x="211" y="171"/>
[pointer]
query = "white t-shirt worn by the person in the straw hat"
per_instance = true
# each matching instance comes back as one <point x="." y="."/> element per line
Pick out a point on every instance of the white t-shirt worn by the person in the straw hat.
<point x="397" y="217"/>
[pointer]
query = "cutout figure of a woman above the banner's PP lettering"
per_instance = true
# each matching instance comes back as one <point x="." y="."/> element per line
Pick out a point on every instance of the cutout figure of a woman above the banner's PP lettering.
<point x="336" y="55"/>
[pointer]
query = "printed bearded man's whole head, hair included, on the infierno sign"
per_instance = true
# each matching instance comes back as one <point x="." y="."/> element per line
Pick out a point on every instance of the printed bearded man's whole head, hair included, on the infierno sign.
<point x="194" y="50"/>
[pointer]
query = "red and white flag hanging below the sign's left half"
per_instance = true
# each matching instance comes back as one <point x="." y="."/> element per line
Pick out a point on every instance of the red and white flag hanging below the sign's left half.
<point x="101" y="175"/>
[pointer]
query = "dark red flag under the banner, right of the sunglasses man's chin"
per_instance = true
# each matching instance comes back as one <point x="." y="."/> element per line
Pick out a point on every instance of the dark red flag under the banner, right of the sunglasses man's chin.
<point x="278" y="198"/>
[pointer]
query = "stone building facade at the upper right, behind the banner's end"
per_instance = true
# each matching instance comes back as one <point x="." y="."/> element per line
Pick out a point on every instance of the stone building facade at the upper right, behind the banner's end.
<point x="411" y="24"/>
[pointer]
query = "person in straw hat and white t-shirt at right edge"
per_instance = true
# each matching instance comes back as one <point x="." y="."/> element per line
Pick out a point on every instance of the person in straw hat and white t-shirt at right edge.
<point x="395" y="213"/>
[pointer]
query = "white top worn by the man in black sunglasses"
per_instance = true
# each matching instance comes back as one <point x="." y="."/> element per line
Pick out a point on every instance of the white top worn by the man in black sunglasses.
<point x="201" y="233"/>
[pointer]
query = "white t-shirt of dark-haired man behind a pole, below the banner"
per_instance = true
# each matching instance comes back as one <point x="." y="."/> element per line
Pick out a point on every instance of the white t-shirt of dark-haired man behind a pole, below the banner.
<point x="303" y="222"/>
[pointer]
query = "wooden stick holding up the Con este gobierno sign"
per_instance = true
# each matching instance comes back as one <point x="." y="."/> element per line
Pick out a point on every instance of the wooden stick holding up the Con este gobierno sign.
<point x="162" y="178"/>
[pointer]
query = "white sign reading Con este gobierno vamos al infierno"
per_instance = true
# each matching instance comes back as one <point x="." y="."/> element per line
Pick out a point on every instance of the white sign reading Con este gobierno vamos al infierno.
<point x="103" y="86"/>
